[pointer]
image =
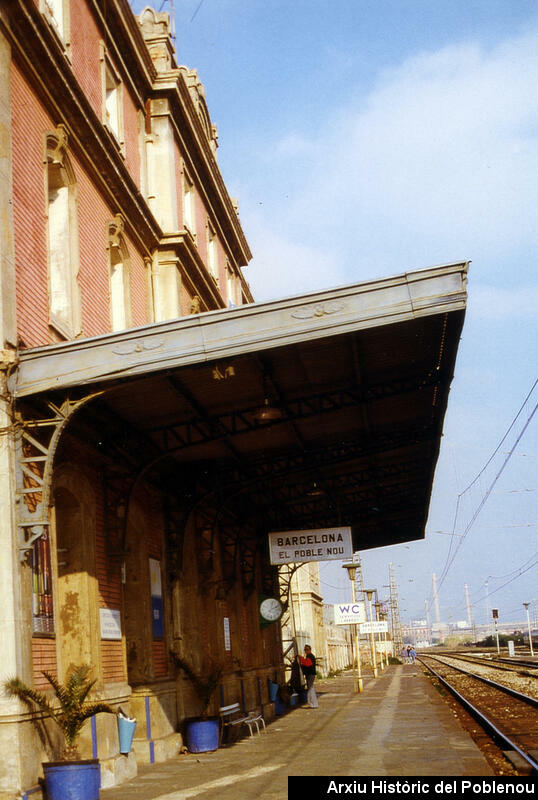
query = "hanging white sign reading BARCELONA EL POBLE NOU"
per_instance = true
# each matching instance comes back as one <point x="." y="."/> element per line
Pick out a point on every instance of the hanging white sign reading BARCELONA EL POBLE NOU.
<point x="321" y="544"/>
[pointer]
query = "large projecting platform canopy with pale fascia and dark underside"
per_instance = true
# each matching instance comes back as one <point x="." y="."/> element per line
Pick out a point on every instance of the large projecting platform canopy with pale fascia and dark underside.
<point x="314" y="411"/>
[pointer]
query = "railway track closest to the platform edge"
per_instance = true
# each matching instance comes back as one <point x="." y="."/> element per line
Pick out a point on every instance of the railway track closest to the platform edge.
<point x="509" y="717"/>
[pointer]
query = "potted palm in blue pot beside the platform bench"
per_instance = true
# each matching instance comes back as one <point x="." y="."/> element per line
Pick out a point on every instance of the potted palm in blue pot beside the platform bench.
<point x="202" y="731"/>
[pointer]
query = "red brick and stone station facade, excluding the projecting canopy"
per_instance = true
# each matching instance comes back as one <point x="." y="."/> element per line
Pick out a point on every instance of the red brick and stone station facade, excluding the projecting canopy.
<point x="114" y="216"/>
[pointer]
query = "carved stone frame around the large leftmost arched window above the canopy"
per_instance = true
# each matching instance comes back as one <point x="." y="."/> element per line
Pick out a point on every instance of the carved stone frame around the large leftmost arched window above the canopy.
<point x="57" y="163"/>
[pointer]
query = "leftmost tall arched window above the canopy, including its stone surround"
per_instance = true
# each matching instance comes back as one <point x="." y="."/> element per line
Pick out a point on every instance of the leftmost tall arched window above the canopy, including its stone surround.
<point x="64" y="296"/>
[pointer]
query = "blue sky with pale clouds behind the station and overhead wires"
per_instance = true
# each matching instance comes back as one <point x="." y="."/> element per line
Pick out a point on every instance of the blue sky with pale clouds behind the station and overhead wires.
<point x="364" y="138"/>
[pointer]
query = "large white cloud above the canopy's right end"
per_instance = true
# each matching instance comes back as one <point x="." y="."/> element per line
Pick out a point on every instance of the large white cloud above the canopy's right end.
<point x="439" y="162"/>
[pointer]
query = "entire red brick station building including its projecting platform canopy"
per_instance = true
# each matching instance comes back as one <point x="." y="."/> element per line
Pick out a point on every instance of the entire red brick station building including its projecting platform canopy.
<point x="157" y="423"/>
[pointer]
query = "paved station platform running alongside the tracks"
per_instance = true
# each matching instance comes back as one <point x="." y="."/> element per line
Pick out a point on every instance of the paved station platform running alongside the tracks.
<point x="399" y="726"/>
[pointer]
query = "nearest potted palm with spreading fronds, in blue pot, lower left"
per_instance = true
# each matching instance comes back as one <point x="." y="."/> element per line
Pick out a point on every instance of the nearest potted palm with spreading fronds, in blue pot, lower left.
<point x="70" y="777"/>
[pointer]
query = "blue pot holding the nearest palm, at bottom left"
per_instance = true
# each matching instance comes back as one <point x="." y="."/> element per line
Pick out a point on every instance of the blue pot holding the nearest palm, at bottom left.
<point x="72" y="780"/>
